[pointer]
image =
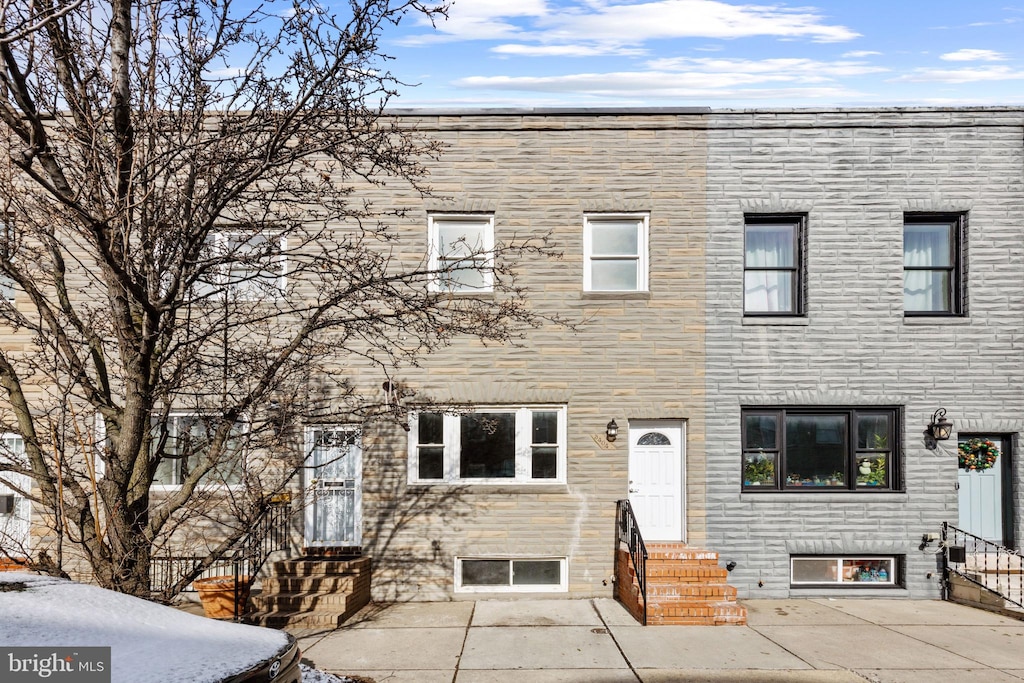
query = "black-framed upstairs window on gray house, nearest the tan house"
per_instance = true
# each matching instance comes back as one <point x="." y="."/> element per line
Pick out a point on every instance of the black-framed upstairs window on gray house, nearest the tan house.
<point x="774" y="265"/>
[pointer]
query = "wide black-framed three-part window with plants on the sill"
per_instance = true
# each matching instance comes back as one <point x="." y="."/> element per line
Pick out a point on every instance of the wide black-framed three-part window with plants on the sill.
<point x="815" y="450"/>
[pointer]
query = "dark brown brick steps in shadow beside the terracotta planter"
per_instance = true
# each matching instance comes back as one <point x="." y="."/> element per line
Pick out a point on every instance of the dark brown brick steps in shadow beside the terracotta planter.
<point x="313" y="593"/>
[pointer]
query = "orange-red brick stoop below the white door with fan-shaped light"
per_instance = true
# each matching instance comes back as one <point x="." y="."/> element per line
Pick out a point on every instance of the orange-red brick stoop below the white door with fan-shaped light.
<point x="686" y="587"/>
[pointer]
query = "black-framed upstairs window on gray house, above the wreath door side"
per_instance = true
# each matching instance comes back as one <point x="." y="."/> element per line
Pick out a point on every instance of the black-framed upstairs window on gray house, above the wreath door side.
<point x="933" y="265"/>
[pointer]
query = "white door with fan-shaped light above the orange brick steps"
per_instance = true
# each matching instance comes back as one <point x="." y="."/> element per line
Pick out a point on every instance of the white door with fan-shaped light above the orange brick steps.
<point x="657" y="479"/>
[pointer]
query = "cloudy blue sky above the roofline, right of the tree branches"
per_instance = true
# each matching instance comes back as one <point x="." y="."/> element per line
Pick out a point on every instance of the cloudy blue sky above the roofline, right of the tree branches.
<point x="724" y="55"/>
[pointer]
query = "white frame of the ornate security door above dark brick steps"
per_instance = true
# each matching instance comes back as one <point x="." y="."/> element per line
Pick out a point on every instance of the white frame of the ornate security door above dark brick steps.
<point x="315" y="489"/>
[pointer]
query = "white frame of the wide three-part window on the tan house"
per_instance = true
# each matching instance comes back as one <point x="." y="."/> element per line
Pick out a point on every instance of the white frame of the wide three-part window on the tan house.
<point x="524" y="447"/>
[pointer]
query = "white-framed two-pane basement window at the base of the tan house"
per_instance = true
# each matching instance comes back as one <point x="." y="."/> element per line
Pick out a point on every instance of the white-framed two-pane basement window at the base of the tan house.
<point x="528" y="575"/>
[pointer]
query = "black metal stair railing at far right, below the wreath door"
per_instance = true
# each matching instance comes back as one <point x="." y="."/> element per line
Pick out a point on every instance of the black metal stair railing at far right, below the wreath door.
<point x="994" y="568"/>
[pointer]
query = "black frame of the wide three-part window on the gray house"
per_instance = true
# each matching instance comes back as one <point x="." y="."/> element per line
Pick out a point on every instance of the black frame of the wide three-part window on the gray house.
<point x="855" y="453"/>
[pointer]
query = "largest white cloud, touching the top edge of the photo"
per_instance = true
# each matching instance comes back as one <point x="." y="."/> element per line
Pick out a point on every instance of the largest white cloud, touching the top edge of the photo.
<point x="618" y="23"/>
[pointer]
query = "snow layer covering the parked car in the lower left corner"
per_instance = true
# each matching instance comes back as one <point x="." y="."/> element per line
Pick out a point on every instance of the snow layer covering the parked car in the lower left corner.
<point x="150" y="643"/>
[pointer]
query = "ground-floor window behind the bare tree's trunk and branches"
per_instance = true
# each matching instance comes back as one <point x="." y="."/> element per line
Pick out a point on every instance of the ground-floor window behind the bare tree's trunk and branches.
<point x="185" y="442"/>
